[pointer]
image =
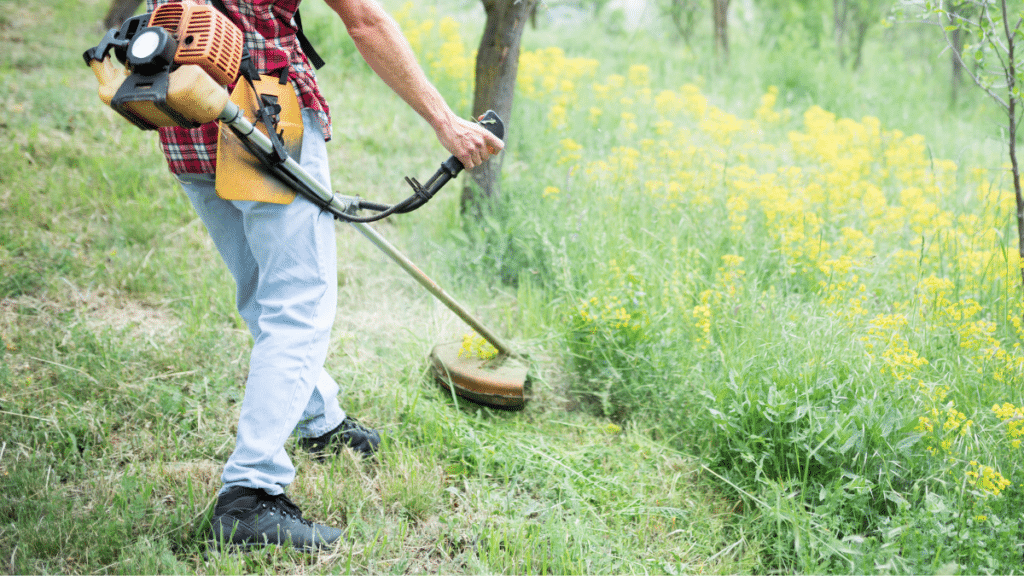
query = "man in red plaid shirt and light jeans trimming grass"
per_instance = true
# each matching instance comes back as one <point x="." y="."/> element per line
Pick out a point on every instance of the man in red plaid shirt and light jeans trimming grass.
<point x="283" y="258"/>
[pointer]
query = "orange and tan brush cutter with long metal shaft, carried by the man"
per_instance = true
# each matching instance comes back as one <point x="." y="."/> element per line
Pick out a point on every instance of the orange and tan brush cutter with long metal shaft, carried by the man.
<point x="177" y="63"/>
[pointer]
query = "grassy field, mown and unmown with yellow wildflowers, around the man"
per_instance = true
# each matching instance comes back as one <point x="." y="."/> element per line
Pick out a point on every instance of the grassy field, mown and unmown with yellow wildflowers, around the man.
<point x="778" y="331"/>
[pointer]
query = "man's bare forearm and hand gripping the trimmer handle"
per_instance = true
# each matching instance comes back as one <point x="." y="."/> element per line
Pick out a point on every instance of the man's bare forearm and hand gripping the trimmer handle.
<point x="385" y="48"/>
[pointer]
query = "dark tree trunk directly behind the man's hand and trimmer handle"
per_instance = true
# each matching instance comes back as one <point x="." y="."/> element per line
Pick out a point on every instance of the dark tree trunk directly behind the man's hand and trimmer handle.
<point x="497" y="66"/>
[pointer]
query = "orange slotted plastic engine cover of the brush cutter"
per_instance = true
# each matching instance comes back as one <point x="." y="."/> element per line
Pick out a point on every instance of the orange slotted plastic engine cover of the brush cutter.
<point x="206" y="38"/>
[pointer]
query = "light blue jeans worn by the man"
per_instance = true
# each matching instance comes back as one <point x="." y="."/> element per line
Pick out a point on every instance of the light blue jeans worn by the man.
<point x="284" y="261"/>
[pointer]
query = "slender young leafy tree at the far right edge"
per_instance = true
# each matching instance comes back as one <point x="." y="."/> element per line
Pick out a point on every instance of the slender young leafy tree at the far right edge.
<point x="998" y="33"/>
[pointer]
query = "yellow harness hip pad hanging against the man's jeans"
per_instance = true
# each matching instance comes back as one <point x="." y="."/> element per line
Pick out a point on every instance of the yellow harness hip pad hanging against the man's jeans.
<point x="240" y="175"/>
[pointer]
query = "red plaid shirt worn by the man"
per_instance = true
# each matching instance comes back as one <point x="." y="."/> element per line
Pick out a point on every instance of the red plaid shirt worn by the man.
<point x="270" y="34"/>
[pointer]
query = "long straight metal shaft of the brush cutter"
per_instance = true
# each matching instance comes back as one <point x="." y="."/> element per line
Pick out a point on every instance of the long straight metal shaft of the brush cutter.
<point x="338" y="205"/>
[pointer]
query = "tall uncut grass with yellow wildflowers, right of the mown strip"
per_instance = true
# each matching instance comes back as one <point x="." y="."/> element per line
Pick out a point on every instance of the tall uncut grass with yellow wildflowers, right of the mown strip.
<point x="824" y="308"/>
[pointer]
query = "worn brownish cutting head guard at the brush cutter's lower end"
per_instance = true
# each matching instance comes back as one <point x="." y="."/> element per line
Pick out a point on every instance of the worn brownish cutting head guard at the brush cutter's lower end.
<point x="500" y="382"/>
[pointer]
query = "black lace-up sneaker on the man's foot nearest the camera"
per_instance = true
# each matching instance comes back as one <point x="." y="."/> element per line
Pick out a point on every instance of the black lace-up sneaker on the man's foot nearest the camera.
<point x="248" y="518"/>
